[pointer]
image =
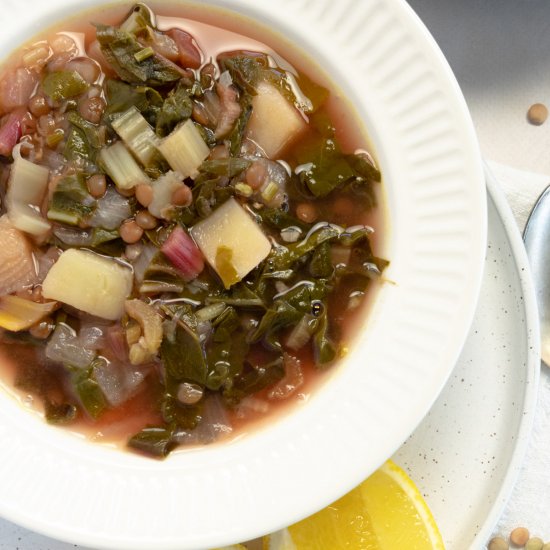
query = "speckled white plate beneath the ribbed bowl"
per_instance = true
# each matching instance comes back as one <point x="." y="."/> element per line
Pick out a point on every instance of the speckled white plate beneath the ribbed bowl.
<point x="466" y="454"/>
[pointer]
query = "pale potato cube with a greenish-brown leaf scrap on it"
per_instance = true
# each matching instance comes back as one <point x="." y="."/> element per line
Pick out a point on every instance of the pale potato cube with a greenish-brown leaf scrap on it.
<point x="232" y="243"/>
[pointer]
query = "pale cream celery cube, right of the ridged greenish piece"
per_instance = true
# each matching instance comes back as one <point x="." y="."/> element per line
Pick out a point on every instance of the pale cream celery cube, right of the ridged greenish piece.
<point x="184" y="149"/>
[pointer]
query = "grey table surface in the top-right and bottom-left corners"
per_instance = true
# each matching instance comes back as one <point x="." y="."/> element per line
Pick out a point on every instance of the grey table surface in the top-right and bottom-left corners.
<point x="499" y="51"/>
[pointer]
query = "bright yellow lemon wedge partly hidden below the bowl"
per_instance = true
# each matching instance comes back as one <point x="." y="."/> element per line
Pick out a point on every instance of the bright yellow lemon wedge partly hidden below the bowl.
<point x="385" y="512"/>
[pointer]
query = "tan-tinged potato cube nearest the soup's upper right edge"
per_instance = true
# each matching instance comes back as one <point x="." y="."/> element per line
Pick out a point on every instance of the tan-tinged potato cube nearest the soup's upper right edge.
<point x="274" y="123"/>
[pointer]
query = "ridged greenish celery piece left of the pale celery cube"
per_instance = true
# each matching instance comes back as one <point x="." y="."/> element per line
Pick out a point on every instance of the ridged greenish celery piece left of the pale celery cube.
<point x="138" y="136"/>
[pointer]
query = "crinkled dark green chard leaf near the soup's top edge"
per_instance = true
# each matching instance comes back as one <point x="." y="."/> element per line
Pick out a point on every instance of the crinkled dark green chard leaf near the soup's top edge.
<point x="119" y="48"/>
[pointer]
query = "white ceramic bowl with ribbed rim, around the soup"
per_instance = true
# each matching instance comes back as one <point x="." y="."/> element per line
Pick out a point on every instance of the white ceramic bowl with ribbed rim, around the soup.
<point x="392" y="71"/>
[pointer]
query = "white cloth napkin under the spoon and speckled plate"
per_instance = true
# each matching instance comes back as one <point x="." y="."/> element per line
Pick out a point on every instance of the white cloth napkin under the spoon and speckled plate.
<point x="529" y="504"/>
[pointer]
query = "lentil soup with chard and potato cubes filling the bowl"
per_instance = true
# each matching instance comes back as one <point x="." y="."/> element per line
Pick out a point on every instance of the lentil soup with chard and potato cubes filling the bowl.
<point x="186" y="241"/>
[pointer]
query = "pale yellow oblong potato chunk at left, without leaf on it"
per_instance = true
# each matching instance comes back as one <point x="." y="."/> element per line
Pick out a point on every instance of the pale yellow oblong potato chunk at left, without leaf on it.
<point x="89" y="282"/>
